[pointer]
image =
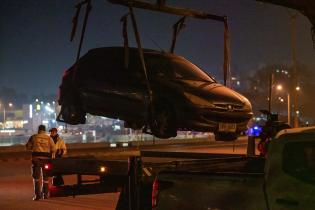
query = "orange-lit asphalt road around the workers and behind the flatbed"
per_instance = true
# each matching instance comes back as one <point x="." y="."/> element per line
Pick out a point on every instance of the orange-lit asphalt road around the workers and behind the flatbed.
<point x="16" y="183"/>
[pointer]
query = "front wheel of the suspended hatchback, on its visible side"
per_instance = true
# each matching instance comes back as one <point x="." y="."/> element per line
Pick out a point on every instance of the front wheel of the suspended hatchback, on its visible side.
<point x="162" y="121"/>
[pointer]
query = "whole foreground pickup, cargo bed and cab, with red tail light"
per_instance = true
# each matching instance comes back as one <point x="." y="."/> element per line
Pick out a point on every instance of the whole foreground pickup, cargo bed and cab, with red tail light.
<point x="285" y="181"/>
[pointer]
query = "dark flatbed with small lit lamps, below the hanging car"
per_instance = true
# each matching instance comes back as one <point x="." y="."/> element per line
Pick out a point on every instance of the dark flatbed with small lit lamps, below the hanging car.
<point x="133" y="177"/>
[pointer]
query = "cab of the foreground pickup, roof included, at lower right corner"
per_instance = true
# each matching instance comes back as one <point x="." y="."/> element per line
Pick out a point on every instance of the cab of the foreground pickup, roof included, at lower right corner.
<point x="290" y="170"/>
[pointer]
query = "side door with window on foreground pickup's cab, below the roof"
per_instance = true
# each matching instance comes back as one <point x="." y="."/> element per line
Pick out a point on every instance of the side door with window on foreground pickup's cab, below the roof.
<point x="292" y="185"/>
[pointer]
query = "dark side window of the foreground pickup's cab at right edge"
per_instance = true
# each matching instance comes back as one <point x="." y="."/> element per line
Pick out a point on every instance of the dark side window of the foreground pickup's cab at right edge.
<point x="299" y="161"/>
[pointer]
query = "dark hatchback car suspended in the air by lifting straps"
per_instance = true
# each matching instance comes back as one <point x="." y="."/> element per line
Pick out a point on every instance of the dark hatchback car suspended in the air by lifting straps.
<point x="183" y="97"/>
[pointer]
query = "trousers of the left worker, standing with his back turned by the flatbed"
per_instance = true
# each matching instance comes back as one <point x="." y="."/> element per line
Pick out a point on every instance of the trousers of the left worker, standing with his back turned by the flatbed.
<point x="40" y="186"/>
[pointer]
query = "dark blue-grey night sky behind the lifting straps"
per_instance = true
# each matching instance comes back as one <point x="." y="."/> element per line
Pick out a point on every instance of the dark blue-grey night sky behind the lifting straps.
<point x="35" y="47"/>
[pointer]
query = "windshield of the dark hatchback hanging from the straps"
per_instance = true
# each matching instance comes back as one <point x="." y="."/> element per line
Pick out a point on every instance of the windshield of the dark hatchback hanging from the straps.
<point x="186" y="70"/>
